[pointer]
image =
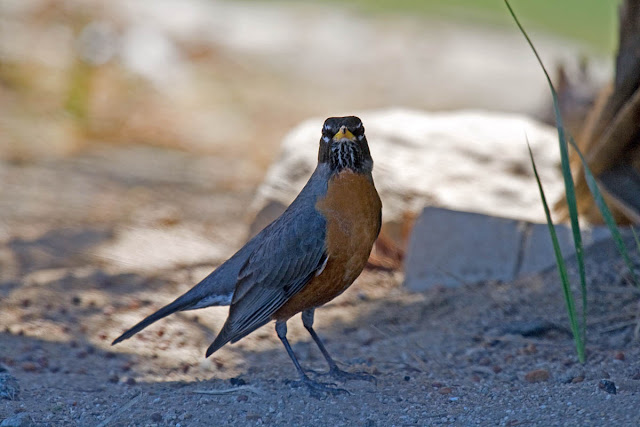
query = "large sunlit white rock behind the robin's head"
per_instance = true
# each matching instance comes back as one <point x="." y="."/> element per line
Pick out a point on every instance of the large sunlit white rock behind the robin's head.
<point x="470" y="161"/>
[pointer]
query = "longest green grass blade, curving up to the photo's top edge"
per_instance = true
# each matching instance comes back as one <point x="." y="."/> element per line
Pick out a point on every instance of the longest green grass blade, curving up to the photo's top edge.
<point x="569" y="185"/>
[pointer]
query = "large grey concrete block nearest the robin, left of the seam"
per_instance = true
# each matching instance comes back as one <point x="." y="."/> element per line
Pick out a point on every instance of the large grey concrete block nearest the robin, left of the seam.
<point x="451" y="248"/>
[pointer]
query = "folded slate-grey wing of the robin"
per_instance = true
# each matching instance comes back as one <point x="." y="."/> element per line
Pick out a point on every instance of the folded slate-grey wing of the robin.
<point x="292" y="251"/>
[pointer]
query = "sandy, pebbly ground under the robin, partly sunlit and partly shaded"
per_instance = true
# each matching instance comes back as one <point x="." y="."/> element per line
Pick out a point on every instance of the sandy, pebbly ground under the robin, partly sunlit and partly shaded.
<point x="489" y="354"/>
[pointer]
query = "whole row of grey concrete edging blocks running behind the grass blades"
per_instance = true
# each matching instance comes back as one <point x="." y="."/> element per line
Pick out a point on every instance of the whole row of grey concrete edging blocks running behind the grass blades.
<point x="452" y="248"/>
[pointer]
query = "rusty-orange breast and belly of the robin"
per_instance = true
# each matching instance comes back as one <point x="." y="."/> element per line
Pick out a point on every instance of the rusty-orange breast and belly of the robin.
<point x="352" y="209"/>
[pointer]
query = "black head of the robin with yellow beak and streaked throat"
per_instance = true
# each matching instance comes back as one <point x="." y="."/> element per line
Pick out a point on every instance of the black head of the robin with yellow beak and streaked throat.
<point x="344" y="146"/>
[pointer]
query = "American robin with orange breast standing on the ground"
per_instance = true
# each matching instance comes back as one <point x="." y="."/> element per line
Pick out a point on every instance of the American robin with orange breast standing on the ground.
<point x="305" y="258"/>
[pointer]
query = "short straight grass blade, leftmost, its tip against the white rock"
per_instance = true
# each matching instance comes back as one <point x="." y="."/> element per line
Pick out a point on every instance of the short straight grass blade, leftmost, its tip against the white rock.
<point x="562" y="268"/>
